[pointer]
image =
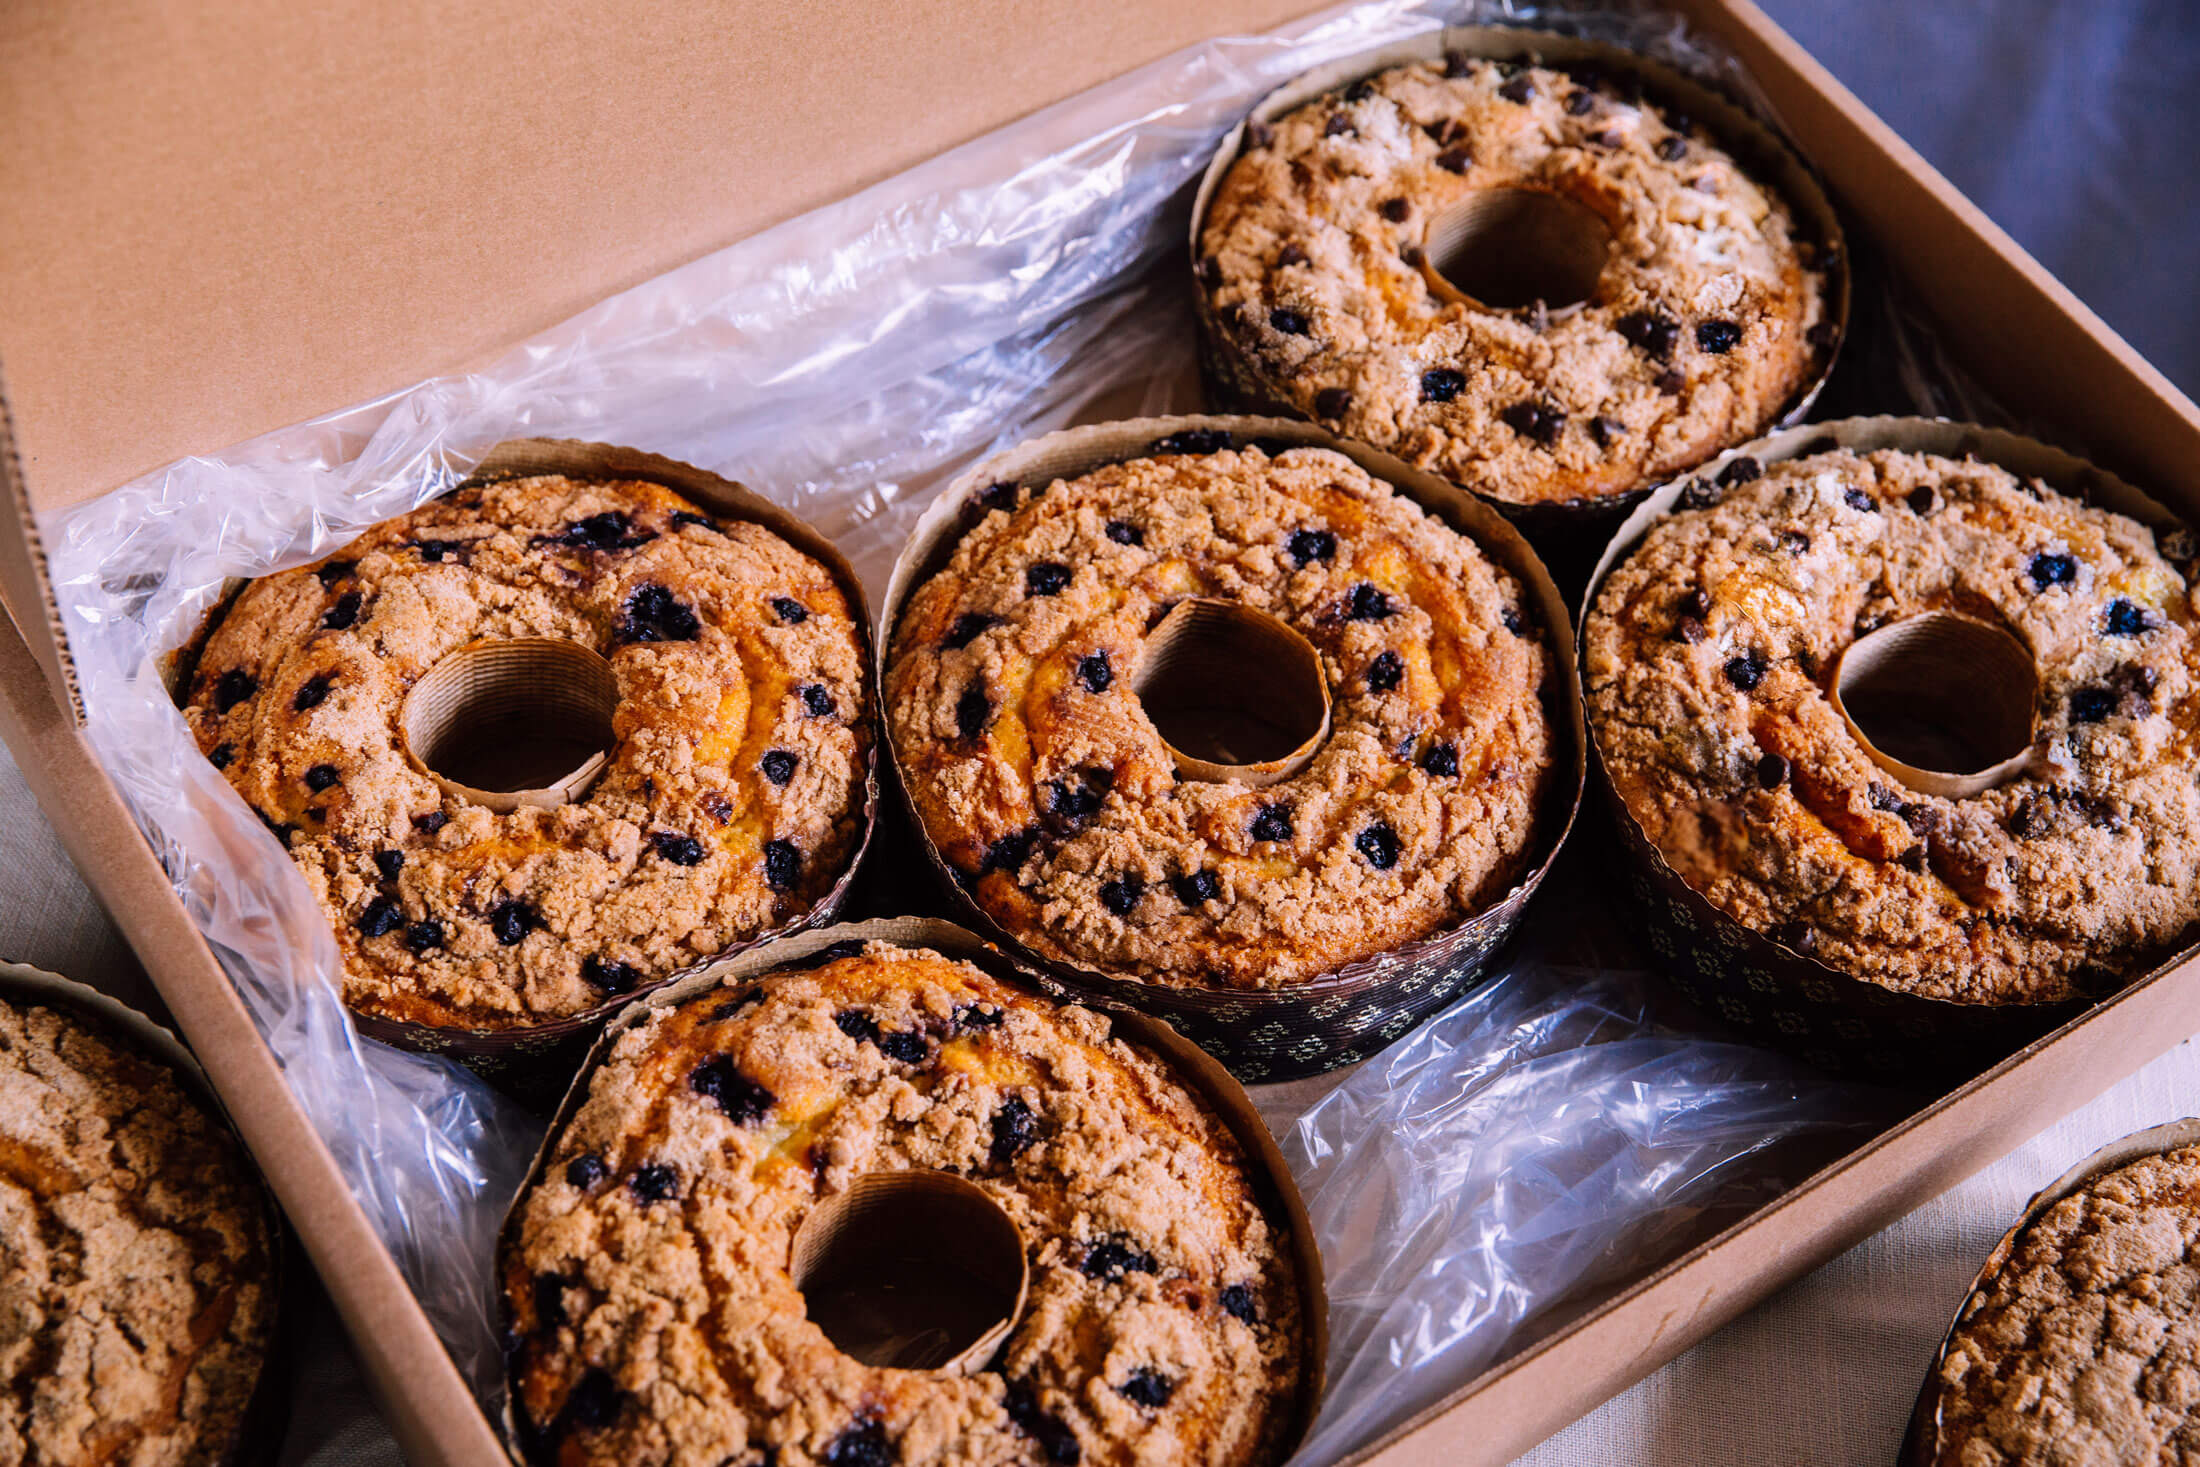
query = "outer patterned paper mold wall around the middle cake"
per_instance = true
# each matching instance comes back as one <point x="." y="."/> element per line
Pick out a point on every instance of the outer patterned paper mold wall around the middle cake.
<point x="1427" y="973"/>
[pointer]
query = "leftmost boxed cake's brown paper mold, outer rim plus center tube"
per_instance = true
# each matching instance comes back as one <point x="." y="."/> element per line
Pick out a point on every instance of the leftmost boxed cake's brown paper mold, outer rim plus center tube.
<point x="529" y="723"/>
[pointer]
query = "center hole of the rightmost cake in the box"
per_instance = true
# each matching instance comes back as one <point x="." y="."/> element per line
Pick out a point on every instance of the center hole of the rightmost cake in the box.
<point x="1941" y="692"/>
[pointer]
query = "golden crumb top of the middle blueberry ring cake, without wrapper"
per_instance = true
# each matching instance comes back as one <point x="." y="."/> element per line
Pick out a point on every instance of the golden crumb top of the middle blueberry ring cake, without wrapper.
<point x="1046" y="786"/>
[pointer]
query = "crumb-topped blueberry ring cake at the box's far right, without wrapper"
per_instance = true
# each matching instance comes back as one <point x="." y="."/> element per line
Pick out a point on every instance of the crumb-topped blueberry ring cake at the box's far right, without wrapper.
<point x="1710" y="652"/>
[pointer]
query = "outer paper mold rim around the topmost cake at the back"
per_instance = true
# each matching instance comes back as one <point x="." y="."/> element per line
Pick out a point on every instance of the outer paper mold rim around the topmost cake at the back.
<point x="1237" y="382"/>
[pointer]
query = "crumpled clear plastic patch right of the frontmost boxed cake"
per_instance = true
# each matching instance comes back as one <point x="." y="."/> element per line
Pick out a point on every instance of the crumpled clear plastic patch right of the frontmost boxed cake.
<point x="1554" y="1132"/>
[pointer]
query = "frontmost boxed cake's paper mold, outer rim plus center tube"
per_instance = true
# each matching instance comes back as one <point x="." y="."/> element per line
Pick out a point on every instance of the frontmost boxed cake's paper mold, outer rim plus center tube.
<point x="921" y="1270"/>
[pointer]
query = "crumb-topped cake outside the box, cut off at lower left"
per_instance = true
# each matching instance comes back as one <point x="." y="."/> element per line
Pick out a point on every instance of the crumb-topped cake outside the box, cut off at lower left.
<point x="135" y="1266"/>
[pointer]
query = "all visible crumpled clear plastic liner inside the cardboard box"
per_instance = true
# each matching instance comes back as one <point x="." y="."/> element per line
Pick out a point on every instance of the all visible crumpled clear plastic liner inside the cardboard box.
<point x="1537" y="1140"/>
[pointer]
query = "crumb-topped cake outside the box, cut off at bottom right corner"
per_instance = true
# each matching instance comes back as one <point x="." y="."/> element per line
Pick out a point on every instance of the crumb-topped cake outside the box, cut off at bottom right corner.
<point x="2084" y="1347"/>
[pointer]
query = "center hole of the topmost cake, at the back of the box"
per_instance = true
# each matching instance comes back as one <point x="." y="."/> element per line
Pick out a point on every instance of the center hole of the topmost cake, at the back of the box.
<point x="1517" y="247"/>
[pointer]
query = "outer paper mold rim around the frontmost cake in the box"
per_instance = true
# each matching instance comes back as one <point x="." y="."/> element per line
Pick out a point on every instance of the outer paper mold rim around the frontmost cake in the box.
<point x="1275" y="1187"/>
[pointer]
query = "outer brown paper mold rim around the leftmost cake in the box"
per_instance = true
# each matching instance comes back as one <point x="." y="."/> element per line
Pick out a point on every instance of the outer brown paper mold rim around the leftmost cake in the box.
<point x="525" y="1057"/>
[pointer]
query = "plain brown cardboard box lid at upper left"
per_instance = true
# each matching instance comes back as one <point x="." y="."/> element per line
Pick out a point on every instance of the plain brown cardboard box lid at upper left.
<point x="232" y="219"/>
